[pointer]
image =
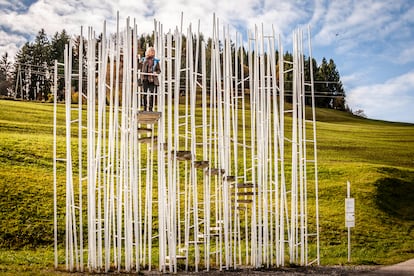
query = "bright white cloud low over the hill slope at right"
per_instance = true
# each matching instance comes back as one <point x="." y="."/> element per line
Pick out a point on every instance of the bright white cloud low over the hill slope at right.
<point x="392" y="100"/>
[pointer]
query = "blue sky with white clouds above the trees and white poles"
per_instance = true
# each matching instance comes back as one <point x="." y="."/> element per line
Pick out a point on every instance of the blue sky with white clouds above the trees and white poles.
<point x="371" y="41"/>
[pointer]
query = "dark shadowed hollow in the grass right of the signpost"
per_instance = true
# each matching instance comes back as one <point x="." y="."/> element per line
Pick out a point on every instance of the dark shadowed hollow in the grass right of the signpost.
<point x="395" y="193"/>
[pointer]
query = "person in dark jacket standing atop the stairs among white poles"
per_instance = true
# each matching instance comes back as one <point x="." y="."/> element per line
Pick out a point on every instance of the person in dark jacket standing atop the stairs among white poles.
<point x="149" y="77"/>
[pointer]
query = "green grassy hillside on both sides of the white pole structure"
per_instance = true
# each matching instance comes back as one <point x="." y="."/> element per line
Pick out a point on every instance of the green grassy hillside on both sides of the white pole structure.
<point x="376" y="157"/>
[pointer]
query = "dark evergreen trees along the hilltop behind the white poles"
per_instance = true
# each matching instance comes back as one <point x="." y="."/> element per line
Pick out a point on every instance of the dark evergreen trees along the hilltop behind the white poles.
<point x="30" y="76"/>
